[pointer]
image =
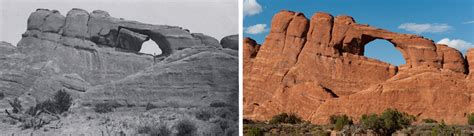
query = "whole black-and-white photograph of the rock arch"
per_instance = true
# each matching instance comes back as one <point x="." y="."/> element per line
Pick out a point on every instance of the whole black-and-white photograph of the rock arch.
<point x="119" y="68"/>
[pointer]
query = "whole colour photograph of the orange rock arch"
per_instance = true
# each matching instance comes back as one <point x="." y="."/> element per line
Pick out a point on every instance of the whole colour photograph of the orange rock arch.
<point x="362" y="67"/>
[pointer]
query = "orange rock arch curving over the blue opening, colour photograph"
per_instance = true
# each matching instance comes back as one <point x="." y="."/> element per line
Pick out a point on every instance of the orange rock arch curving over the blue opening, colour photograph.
<point x="347" y="36"/>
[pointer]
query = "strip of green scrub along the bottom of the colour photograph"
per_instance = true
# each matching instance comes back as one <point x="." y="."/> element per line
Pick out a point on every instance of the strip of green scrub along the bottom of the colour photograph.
<point x="389" y="122"/>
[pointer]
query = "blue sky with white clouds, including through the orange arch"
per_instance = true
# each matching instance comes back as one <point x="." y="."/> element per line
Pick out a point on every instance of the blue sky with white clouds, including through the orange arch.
<point x="449" y="22"/>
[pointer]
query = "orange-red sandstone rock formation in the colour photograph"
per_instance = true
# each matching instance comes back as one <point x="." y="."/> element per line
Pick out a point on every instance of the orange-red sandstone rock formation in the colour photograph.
<point x="316" y="68"/>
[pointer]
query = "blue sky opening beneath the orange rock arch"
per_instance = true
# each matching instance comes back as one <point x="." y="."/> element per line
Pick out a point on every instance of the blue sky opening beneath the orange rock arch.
<point x="384" y="51"/>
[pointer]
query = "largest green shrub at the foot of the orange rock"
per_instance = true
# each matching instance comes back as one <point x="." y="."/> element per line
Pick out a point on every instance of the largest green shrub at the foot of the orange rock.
<point x="388" y="122"/>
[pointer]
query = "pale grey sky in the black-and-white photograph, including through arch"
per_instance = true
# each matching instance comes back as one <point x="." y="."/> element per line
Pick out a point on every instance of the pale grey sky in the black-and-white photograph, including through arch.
<point x="216" y="18"/>
